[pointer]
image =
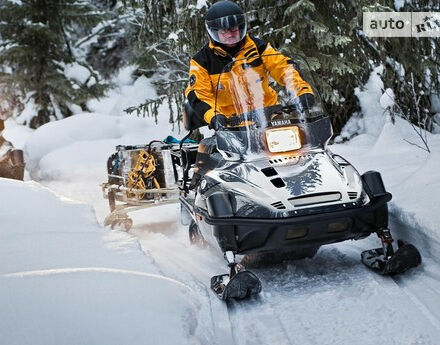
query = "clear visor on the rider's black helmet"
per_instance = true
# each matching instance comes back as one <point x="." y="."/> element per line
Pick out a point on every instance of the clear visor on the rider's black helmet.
<point x="227" y="30"/>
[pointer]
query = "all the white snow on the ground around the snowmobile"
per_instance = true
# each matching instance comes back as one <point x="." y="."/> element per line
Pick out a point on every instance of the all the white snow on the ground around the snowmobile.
<point x="68" y="280"/>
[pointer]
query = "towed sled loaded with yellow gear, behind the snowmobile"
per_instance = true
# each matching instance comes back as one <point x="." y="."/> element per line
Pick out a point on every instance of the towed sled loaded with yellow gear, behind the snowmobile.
<point x="141" y="176"/>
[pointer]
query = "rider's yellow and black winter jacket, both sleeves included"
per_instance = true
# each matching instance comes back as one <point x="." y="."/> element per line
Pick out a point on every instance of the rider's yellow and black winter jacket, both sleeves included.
<point x="206" y="76"/>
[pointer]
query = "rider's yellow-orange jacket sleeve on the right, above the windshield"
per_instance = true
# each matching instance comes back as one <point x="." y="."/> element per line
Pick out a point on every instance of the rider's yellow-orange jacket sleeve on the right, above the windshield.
<point x="281" y="68"/>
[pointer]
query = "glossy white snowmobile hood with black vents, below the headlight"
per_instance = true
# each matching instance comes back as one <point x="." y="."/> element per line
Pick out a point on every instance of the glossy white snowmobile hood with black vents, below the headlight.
<point x="262" y="189"/>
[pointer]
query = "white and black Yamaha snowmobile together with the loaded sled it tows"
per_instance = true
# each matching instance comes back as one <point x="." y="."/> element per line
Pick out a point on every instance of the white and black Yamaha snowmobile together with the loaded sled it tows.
<point x="266" y="183"/>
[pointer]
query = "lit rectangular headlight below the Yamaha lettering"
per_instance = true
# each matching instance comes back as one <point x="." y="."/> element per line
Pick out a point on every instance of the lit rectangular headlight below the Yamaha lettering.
<point x="283" y="139"/>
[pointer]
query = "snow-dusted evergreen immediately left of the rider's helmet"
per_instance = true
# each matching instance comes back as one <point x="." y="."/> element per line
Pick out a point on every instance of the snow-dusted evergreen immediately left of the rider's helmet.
<point x="169" y="33"/>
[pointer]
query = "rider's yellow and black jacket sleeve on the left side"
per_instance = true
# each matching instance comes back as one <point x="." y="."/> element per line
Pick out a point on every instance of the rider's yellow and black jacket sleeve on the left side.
<point x="199" y="92"/>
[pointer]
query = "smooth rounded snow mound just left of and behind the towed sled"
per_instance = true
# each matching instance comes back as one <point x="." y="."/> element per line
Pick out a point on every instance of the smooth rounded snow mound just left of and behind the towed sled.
<point x="80" y="145"/>
